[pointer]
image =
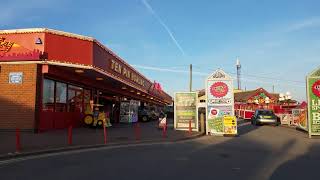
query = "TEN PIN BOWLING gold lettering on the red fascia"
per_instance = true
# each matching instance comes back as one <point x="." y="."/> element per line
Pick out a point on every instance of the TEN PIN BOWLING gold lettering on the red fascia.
<point x="127" y="73"/>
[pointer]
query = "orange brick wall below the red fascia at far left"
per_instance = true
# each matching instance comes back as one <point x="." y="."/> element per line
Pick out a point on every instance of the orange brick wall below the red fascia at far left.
<point x="17" y="101"/>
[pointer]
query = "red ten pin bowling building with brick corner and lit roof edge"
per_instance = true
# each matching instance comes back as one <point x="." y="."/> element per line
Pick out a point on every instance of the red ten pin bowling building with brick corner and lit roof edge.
<point x="52" y="79"/>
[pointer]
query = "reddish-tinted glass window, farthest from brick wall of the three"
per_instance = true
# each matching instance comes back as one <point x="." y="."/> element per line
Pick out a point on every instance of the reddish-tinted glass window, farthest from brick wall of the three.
<point x="75" y="97"/>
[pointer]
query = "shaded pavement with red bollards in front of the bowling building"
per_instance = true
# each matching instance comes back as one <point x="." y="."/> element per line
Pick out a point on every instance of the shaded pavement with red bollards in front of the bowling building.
<point x="57" y="140"/>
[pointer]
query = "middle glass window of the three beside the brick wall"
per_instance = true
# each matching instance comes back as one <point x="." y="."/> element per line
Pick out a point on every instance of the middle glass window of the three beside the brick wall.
<point x="61" y="97"/>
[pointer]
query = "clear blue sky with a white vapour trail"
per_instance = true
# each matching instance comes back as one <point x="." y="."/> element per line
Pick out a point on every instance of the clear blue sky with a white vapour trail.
<point x="277" y="42"/>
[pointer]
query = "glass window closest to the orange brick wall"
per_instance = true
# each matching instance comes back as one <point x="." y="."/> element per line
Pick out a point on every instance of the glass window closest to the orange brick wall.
<point x="48" y="95"/>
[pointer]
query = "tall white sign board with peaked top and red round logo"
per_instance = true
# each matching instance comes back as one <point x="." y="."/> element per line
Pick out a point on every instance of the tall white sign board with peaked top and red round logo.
<point x="220" y="102"/>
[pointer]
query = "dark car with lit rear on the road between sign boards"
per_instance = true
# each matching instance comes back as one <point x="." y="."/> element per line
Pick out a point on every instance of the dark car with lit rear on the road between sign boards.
<point x="264" y="116"/>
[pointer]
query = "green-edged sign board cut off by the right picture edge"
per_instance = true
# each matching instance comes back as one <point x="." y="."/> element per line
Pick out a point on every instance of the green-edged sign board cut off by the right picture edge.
<point x="313" y="92"/>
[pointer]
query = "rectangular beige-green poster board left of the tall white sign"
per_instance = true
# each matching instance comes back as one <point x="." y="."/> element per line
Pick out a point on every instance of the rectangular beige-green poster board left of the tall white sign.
<point x="186" y="111"/>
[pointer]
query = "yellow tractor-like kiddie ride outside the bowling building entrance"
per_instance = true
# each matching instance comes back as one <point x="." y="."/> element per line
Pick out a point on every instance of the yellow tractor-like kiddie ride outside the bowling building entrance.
<point x="96" y="117"/>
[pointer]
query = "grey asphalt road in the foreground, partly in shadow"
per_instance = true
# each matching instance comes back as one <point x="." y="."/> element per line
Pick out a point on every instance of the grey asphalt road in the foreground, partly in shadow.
<point x="262" y="152"/>
